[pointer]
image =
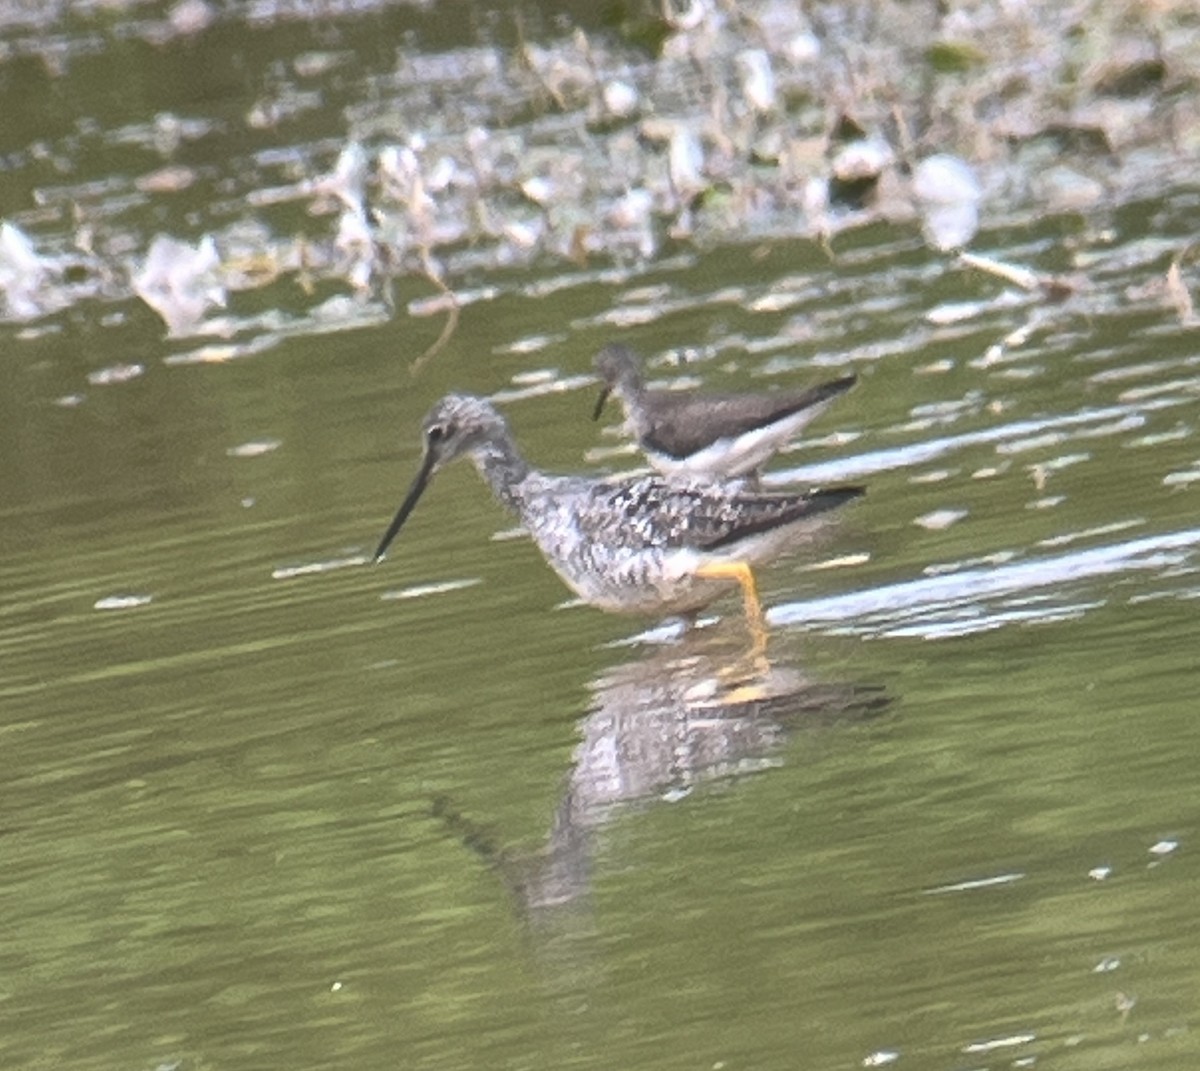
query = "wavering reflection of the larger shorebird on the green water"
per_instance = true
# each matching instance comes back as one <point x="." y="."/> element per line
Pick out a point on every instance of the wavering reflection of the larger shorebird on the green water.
<point x="658" y="727"/>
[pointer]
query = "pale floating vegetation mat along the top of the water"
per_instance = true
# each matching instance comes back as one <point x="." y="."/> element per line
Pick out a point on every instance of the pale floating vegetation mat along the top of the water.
<point x="598" y="155"/>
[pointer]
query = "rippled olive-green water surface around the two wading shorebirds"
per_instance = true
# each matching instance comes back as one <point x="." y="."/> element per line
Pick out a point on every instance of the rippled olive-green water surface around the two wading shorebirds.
<point x="266" y="806"/>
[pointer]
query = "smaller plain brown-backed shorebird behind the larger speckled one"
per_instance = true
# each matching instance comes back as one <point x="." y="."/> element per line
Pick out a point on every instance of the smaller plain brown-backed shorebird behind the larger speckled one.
<point x="709" y="435"/>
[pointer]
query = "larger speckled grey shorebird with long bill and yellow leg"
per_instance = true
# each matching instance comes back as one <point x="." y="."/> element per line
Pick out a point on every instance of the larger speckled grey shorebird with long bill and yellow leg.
<point x="638" y="545"/>
